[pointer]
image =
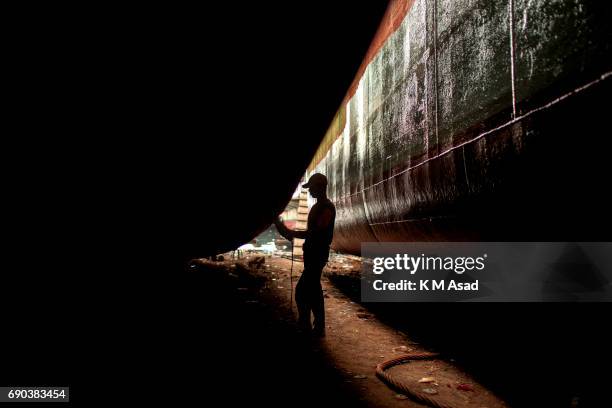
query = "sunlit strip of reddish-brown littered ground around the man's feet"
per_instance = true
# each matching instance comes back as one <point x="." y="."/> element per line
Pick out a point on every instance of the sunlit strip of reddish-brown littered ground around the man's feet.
<point x="356" y="340"/>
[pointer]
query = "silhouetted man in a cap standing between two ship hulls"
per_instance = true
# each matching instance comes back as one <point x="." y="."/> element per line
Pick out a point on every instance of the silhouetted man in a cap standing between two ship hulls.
<point x="318" y="237"/>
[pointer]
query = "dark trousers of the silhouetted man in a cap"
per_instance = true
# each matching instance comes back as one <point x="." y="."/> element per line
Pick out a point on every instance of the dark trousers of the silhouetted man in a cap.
<point x="309" y="294"/>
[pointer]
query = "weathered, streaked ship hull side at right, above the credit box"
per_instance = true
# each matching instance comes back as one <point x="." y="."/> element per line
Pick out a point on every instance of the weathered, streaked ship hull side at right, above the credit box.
<point x="475" y="120"/>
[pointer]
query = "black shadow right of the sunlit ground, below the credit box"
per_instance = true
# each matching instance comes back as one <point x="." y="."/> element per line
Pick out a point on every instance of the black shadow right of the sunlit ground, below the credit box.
<point x="530" y="354"/>
